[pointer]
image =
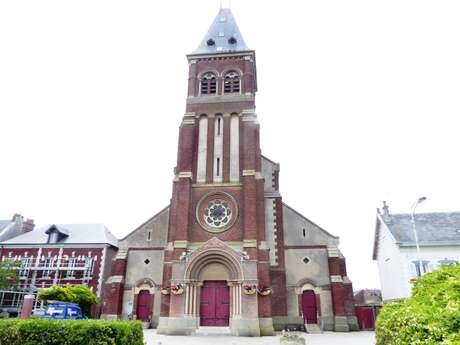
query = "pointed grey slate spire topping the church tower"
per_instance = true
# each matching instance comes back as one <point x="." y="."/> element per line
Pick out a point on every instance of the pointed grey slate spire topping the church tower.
<point x="223" y="36"/>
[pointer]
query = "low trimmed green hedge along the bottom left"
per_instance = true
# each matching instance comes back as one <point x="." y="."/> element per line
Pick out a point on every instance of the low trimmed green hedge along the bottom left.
<point x="70" y="332"/>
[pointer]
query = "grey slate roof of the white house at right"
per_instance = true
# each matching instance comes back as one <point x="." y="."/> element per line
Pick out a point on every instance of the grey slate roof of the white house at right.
<point x="442" y="228"/>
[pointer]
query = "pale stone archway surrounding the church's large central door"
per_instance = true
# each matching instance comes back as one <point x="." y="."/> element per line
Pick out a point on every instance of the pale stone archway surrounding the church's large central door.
<point x="217" y="260"/>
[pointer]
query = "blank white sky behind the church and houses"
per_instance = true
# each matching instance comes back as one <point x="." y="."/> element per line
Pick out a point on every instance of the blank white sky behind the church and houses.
<point x="358" y="101"/>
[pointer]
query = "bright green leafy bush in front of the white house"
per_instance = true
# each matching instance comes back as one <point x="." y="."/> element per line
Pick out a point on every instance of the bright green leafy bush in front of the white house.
<point x="430" y="316"/>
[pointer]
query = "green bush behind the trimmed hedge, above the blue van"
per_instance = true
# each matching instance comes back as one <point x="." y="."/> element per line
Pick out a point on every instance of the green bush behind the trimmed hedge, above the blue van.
<point x="78" y="294"/>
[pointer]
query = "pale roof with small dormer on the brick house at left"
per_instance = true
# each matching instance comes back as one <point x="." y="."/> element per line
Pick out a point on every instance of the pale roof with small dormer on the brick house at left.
<point x="76" y="234"/>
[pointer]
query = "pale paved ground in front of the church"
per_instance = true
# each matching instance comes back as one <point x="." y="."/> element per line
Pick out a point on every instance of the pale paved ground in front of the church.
<point x="213" y="338"/>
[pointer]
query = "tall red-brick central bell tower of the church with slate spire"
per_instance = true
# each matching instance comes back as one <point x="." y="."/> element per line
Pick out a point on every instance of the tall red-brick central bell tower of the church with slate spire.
<point x="217" y="202"/>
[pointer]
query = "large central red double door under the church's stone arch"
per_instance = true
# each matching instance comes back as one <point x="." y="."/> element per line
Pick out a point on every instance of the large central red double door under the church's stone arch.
<point x="215" y="304"/>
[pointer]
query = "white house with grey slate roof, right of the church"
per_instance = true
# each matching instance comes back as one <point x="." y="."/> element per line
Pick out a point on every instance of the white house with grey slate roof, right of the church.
<point x="396" y="253"/>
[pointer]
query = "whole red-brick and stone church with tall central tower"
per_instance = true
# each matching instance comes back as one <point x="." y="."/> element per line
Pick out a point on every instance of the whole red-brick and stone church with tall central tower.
<point x="227" y="251"/>
